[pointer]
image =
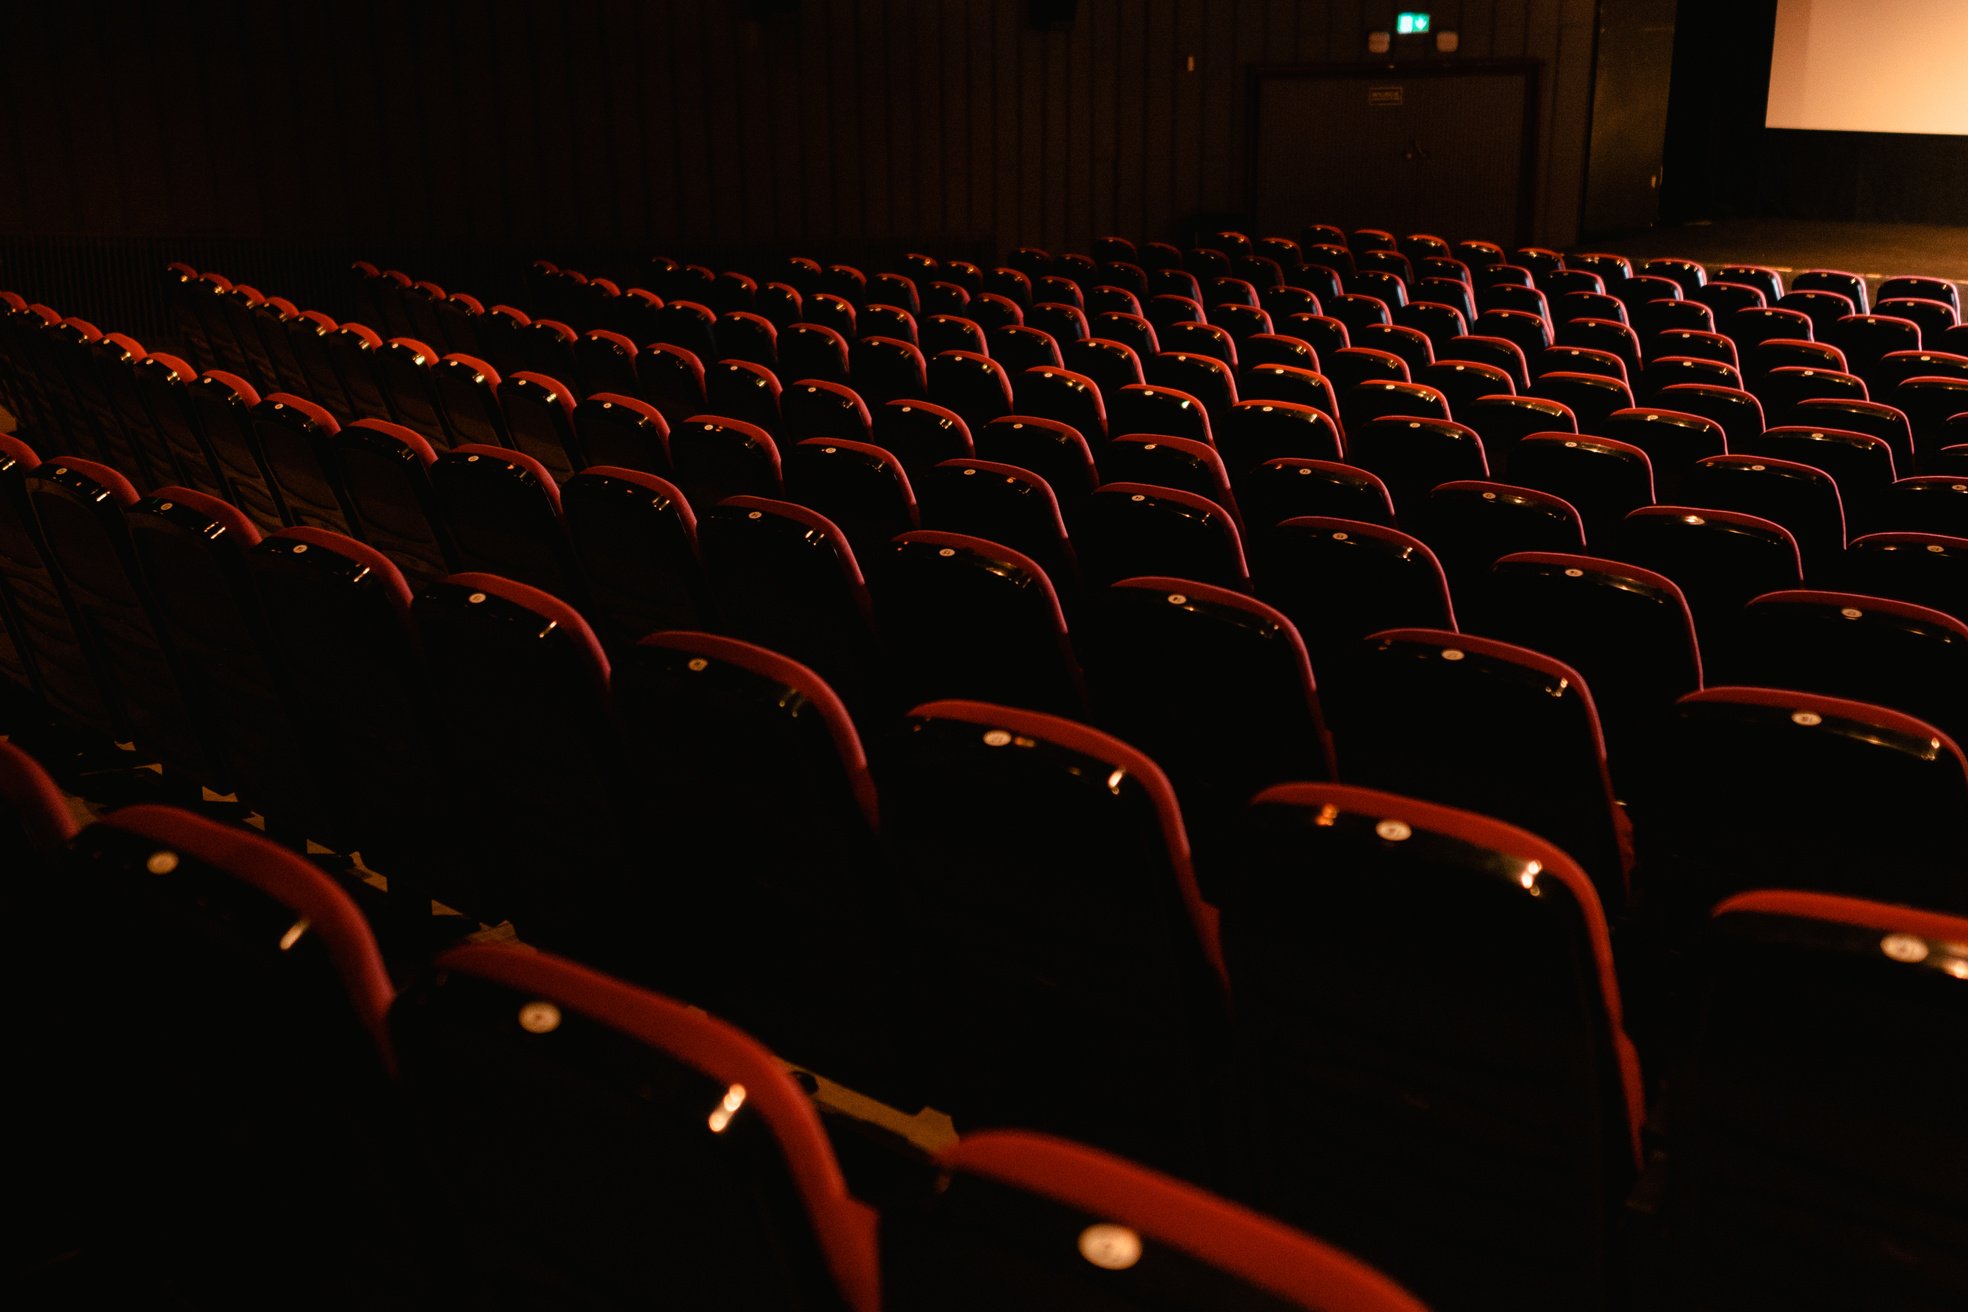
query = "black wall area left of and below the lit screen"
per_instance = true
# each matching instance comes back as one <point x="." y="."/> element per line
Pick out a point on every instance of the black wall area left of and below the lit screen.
<point x="1725" y="164"/>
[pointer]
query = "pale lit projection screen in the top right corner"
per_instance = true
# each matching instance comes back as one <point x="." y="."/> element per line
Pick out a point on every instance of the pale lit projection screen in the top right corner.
<point x="1871" y="66"/>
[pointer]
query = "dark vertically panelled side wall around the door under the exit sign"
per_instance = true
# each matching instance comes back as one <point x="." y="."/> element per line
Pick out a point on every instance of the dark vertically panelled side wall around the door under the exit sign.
<point x="460" y="137"/>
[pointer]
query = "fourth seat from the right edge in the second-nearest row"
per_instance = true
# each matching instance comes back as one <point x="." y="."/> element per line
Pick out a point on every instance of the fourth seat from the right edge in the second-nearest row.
<point x="776" y="908"/>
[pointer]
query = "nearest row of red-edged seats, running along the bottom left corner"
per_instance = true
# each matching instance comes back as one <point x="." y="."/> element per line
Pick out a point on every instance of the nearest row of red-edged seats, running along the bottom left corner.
<point x="645" y="1152"/>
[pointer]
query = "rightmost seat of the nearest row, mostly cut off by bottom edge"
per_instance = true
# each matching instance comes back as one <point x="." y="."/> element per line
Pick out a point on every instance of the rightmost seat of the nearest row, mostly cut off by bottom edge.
<point x="1034" y="1223"/>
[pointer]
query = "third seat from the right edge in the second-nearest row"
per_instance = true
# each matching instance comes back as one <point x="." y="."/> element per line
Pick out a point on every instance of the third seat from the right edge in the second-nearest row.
<point x="1076" y="969"/>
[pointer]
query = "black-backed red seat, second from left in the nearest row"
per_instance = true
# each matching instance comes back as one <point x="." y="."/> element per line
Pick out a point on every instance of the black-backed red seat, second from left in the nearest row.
<point x="206" y="951"/>
